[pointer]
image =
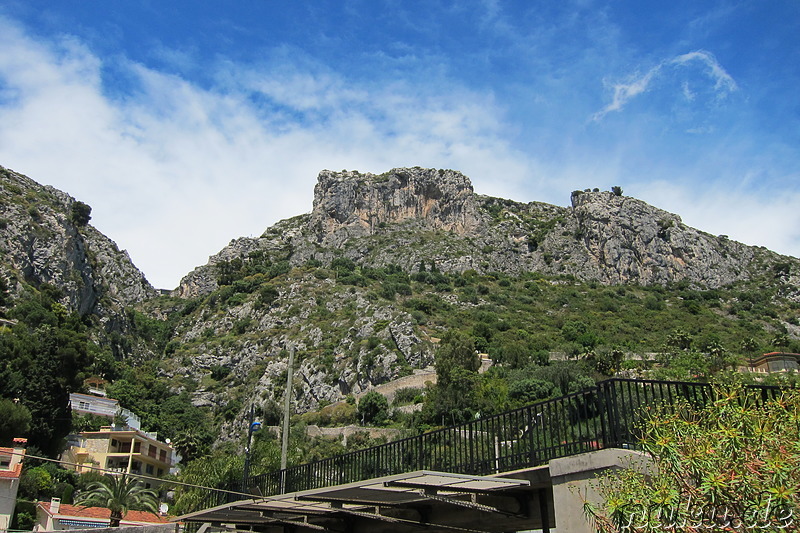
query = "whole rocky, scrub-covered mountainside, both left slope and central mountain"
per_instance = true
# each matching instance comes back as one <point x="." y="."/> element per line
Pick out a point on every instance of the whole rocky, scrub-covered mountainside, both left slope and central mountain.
<point x="383" y="267"/>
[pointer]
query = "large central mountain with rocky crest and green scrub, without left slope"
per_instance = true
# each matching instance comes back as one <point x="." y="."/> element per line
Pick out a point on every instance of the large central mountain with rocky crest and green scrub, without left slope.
<point x="386" y="264"/>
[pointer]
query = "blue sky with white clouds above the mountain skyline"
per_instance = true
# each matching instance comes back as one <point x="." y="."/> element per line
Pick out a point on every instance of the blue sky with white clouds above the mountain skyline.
<point x="186" y="124"/>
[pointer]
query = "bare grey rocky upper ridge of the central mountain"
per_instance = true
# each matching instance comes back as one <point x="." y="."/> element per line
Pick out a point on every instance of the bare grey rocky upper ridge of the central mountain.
<point x="412" y="215"/>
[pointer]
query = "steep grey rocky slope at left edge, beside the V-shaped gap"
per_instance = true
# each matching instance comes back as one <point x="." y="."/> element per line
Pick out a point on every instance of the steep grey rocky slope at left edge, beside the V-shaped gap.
<point x="44" y="240"/>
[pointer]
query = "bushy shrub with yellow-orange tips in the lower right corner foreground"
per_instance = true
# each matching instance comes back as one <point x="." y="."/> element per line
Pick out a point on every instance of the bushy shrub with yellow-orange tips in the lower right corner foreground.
<point x="733" y="463"/>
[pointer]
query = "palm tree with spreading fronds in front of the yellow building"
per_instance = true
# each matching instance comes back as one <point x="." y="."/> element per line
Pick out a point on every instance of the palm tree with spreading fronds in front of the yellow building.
<point x="120" y="494"/>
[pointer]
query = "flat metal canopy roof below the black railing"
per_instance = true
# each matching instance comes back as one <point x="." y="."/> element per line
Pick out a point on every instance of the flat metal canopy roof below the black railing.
<point x="410" y="499"/>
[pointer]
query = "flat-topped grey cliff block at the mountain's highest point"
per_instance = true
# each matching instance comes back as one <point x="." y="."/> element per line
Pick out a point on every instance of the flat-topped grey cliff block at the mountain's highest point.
<point x="359" y="203"/>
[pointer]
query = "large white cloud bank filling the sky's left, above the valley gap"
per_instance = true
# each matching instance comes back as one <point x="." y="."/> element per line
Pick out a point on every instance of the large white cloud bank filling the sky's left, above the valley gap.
<point x="174" y="171"/>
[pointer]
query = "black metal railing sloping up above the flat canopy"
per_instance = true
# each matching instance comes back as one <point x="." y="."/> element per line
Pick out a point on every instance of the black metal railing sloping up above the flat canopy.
<point x="605" y="416"/>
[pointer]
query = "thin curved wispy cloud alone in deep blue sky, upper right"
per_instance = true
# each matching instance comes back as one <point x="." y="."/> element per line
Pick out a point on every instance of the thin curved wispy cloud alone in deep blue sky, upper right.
<point x="637" y="84"/>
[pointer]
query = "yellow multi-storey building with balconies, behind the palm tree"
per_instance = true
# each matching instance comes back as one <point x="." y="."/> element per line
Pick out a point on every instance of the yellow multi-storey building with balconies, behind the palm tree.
<point x="123" y="450"/>
